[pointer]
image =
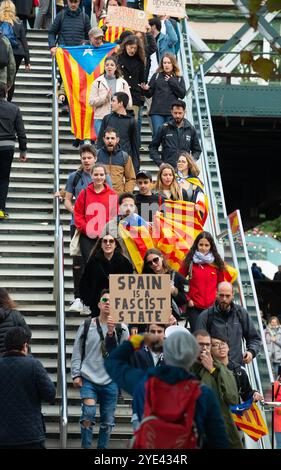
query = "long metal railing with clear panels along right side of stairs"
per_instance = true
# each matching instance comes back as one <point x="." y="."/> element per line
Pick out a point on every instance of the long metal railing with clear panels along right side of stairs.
<point x="235" y="252"/>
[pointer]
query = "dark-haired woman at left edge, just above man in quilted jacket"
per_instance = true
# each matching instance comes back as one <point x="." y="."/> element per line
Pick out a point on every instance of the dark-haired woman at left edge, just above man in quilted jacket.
<point x="9" y="316"/>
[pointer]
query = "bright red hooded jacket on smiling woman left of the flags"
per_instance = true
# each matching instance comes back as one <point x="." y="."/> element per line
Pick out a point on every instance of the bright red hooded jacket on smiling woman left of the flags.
<point x="93" y="210"/>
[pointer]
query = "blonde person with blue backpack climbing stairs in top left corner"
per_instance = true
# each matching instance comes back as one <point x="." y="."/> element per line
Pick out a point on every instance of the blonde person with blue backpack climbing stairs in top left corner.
<point x="13" y="29"/>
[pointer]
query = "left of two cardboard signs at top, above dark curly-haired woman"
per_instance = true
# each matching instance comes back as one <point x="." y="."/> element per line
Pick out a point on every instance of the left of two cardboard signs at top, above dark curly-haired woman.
<point x="129" y="18"/>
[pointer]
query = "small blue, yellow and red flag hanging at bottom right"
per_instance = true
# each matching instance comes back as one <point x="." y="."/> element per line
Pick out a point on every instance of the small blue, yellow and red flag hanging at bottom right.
<point x="248" y="418"/>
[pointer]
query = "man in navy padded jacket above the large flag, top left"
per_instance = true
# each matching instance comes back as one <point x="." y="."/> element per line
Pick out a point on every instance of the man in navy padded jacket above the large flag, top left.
<point x="70" y="27"/>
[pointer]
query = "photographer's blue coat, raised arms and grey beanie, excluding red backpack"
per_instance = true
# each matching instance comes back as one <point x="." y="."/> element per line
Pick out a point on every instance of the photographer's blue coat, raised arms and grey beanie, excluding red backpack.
<point x="180" y="352"/>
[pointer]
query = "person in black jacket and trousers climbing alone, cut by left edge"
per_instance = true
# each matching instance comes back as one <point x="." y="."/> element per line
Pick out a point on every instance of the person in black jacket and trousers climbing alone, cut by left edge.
<point x="11" y="124"/>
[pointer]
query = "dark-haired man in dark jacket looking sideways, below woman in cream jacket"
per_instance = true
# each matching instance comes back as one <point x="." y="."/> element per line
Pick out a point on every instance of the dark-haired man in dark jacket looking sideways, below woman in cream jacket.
<point x="124" y="124"/>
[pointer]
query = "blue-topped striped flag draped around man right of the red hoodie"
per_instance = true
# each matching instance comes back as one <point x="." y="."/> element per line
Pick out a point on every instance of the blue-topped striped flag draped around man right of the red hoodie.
<point x="135" y="233"/>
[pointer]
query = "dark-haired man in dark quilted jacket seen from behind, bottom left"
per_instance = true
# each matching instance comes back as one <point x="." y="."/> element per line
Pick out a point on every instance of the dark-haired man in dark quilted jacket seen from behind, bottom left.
<point x="24" y="384"/>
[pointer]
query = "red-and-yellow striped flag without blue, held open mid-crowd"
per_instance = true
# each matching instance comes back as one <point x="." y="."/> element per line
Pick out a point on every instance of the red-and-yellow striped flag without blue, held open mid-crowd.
<point x="174" y="233"/>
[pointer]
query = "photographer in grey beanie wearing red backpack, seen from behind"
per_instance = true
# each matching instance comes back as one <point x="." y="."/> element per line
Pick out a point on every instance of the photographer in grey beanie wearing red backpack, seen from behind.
<point x="176" y="411"/>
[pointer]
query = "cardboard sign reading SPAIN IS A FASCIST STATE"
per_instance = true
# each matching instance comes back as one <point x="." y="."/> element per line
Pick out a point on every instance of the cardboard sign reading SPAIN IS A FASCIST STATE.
<point x="140" y="298"/>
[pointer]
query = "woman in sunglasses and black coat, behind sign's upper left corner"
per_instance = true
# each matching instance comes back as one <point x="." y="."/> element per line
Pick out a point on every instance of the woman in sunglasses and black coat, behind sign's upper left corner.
<point x="106" y="258"/>
